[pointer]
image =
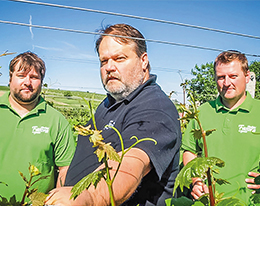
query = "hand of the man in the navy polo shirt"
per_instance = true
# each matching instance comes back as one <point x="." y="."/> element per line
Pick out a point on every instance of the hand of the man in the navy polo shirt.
<point x="60" y="197"/>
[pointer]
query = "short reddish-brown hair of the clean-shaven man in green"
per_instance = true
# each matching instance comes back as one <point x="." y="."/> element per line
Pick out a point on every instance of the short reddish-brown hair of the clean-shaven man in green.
<point x="231" y="55"/>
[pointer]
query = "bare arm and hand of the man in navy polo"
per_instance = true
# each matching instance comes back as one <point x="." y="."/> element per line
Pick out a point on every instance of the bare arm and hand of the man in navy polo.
<point x="135" y="165"/>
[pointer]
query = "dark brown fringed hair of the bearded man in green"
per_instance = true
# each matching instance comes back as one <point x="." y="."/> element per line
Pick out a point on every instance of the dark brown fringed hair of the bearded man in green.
<point x="26" y="61"/>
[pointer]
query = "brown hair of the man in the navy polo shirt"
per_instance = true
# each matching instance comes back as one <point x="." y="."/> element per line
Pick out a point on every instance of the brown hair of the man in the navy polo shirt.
<point x="132" y="35"/>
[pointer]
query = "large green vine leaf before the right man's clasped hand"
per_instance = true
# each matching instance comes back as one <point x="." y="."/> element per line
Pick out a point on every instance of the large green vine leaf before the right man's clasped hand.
<point x="195" y="168"/>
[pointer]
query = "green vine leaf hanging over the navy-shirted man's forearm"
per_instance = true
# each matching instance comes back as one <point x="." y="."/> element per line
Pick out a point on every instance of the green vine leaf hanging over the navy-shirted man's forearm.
<point x="92" y="178"/>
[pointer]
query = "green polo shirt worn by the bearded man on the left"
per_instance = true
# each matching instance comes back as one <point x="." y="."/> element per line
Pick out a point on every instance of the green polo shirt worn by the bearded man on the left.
<point x="42" y="138"/>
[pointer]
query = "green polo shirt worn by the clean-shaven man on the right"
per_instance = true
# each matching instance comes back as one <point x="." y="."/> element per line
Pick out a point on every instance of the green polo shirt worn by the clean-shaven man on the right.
<point x="233" y="142"/>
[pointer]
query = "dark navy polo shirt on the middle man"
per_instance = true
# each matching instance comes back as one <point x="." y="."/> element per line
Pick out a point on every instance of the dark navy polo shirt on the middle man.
<point x="146" y="112"/>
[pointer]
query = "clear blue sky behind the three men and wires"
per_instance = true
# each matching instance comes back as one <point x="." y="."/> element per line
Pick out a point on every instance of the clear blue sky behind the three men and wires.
<point x="72" y="62"/>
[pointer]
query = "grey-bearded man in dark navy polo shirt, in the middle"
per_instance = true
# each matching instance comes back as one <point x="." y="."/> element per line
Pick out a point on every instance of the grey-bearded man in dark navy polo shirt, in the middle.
<point x="136" y="106"/>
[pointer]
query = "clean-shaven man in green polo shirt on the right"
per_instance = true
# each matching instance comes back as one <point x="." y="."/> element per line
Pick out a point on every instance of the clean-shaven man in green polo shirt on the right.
<point x="235" y="116"/>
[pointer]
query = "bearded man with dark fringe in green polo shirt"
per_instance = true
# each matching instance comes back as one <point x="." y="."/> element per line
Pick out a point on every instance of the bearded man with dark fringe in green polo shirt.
<point x="31" y="131"/>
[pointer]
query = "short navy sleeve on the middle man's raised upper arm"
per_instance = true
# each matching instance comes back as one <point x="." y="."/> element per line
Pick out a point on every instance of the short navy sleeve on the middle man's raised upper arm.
<point x="163" y="127"/>
